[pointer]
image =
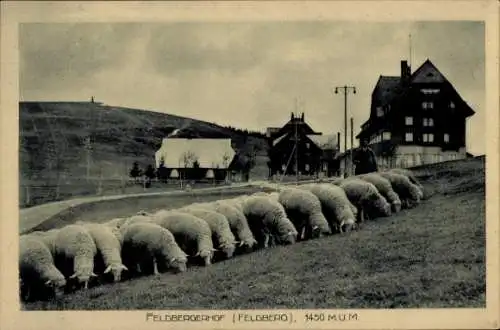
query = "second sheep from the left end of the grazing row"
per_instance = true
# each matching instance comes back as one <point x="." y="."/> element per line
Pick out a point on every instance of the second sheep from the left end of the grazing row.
<point x="75" y="247"/>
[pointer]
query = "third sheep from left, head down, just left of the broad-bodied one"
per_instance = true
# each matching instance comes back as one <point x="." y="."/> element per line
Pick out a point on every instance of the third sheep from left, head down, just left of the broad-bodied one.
<point x="108" y="247"/>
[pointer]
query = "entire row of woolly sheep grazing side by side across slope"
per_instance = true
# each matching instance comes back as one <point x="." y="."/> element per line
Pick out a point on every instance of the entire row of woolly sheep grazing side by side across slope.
<point x="65" y="259"/>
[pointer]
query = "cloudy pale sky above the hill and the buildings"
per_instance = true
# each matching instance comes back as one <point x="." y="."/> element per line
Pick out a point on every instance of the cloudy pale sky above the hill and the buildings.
<point x="247" y="75"/>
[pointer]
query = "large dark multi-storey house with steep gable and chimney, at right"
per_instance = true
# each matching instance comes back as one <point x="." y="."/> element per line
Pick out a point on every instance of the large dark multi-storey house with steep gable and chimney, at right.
<point x="416" y="118"/>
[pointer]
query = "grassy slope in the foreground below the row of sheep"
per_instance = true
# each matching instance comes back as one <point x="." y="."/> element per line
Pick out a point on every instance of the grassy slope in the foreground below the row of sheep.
<point x="428" y="257"/>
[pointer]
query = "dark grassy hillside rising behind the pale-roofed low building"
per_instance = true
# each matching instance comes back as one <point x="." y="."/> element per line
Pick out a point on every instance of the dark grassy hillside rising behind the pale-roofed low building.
<point x="52" y="140"/>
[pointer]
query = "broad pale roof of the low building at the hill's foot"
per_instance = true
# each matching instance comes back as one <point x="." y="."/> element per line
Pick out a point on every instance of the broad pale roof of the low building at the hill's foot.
<point x="181" y="153"/>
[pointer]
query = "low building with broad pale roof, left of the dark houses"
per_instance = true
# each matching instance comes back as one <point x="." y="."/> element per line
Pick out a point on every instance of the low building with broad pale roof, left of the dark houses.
<point x="194" y="159"/>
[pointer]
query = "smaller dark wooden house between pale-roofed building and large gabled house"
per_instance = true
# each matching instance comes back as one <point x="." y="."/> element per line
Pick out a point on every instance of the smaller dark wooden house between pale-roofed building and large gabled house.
<point x="316" y="153"/>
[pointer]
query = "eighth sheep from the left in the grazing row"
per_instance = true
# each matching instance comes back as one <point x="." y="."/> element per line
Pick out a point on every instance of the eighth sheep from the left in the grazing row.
<point x="267" y="220"/>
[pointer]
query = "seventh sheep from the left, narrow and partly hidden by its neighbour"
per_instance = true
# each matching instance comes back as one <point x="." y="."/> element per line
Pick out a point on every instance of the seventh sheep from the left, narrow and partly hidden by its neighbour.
<point x="237" y="222"/>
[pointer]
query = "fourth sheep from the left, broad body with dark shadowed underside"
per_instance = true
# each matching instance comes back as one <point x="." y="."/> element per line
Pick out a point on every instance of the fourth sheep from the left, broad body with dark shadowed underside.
<point x="148" y="244"/>
